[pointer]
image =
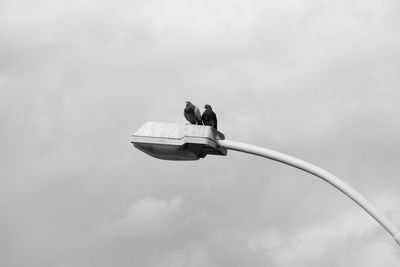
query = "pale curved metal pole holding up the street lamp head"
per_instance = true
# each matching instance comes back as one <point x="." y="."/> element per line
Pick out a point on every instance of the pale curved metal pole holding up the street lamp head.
<point x="314" y="170"/>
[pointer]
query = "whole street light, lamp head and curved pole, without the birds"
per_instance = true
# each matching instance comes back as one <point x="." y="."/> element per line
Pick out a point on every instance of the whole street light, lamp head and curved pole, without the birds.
<point x="172" y="141"/>
